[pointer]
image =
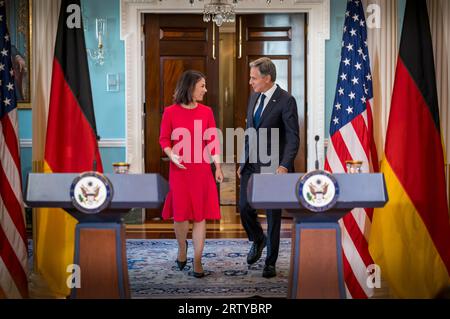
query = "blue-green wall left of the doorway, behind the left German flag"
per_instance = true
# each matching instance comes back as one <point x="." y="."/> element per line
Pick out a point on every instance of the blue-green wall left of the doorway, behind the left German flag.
<point x="109" y="106"/>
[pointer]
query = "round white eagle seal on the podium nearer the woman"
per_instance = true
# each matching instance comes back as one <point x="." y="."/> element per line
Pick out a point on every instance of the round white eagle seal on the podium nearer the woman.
<point x="91" y="192"/>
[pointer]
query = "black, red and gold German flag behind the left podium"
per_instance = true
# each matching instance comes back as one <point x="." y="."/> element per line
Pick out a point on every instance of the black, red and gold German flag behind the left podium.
<point x="71" y="143"/>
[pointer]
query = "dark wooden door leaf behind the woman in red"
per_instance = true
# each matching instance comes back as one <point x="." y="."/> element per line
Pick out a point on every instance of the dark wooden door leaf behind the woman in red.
<point x="174" y="43"/>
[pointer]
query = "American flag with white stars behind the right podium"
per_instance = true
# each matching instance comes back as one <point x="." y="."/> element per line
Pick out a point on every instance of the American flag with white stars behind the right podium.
<point x="351" y="138"/>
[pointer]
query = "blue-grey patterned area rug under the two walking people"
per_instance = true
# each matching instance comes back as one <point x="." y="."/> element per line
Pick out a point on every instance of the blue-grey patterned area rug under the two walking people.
<point x="153" y="272"/>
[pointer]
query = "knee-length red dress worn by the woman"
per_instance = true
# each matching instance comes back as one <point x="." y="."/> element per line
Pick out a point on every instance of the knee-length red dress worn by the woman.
<point x="192" y="192"/>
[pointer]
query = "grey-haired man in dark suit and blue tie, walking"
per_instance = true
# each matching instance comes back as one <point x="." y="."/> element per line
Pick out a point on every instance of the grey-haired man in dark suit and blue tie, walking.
<point x="270" y="107"/>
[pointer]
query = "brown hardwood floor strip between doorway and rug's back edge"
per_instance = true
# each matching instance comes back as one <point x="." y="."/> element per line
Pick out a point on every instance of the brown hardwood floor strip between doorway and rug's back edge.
<point x="228" y="227"/>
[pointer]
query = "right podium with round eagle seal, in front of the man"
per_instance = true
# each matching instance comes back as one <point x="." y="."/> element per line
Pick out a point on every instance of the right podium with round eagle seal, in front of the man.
<point x="317" y="201"/>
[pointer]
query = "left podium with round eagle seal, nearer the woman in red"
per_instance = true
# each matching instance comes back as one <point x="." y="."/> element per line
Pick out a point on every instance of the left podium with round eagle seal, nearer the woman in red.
<point x="99" y="203"/>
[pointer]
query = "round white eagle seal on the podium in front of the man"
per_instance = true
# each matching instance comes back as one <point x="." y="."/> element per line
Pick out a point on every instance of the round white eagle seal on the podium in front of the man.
<point x="318" y="191"/>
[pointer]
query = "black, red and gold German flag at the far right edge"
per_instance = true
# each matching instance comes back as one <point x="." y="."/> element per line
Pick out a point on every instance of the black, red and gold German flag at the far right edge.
<point x="410" y="237"/>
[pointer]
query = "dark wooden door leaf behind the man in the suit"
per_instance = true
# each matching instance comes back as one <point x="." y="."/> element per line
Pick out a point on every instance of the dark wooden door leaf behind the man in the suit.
<point x="281" y="37"/>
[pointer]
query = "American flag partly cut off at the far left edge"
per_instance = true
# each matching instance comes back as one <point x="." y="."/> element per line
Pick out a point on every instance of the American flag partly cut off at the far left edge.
<point x="13" y="248"/>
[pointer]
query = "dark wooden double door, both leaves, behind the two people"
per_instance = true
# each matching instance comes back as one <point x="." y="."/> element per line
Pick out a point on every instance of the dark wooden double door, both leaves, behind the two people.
<point x="175" y="43"/>
